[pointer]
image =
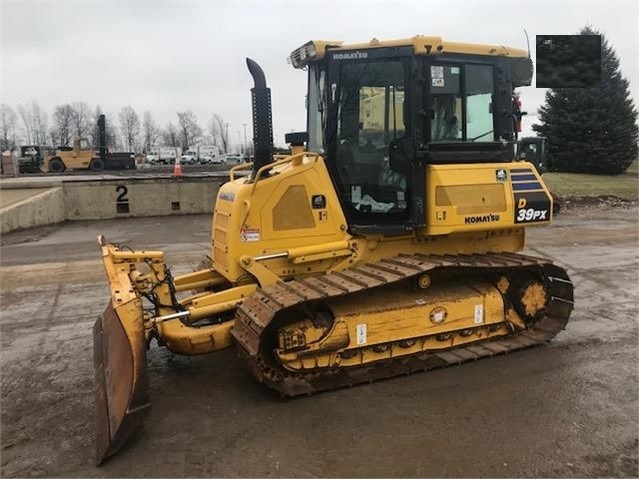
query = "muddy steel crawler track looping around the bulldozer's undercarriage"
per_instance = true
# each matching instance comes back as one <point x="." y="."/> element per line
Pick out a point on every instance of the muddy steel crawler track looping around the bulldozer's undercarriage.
<point x="257" y="312"/>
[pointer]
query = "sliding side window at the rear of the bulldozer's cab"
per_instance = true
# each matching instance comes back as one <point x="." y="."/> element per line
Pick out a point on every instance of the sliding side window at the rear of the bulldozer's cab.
<point x="461" y="102"/>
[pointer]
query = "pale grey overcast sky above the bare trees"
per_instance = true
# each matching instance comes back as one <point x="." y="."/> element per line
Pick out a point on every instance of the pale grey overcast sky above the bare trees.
<point x="166" y="57"/>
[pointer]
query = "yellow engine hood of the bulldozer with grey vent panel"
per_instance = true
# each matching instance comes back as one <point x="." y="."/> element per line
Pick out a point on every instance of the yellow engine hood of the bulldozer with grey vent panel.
<point x="296" y="207"/>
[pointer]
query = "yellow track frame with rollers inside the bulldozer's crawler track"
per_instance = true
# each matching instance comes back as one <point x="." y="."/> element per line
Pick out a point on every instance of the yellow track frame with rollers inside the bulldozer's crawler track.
<point x="393" y="315"/>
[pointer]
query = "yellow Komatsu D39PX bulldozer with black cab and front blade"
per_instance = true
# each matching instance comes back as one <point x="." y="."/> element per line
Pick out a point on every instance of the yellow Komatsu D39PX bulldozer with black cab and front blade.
<point x="386" y="243"/>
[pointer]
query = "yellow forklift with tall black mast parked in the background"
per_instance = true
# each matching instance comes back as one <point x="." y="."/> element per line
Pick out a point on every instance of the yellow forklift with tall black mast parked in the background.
<point x="82" y="155"/>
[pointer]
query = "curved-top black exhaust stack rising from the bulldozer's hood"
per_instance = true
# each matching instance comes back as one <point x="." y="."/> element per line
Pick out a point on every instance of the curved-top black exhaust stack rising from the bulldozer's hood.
<point x="262" y="118"/>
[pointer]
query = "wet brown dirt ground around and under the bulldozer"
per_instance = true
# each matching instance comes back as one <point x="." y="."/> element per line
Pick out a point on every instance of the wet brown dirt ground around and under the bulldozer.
<point x="567" y="409"/>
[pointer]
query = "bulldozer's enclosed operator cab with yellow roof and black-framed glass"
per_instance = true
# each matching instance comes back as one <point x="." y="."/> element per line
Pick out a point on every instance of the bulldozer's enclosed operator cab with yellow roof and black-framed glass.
<point x="380" y="112"/>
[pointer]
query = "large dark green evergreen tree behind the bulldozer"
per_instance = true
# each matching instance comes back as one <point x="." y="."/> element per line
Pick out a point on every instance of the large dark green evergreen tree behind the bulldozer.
<point x="591" y="130"/>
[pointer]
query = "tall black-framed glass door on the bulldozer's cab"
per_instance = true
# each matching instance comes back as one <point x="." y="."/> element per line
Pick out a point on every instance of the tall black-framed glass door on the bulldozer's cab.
<point x="368" y="113"/>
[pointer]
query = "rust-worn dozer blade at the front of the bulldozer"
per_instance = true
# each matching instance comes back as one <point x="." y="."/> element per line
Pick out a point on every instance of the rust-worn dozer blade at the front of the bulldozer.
<point x="121" y="382"/>
